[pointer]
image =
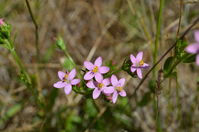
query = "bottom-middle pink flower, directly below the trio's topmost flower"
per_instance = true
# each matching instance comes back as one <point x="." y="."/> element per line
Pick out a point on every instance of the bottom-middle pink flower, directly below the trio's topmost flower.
<point x="99" y="86"/>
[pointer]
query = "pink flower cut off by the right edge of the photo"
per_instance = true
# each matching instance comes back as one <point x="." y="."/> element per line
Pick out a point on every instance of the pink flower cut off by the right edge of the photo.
<point x="194" y="47"/>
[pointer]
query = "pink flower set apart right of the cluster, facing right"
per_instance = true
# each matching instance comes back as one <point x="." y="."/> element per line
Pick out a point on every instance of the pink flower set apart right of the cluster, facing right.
<point x="138" y="64"/>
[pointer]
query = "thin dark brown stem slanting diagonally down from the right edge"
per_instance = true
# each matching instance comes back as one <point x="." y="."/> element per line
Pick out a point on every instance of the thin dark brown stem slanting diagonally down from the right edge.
<point x="162" y="57"/>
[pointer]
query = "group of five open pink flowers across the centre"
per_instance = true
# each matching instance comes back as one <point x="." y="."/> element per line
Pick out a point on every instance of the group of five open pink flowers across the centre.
<point x="94" y="78"/>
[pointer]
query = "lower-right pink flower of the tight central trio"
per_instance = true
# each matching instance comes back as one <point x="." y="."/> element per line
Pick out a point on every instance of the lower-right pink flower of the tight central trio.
<point x="118" y="86"/>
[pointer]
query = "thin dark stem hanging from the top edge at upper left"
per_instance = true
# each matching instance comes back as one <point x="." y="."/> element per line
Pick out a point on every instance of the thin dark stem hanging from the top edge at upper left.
<point x="36" y="29"/>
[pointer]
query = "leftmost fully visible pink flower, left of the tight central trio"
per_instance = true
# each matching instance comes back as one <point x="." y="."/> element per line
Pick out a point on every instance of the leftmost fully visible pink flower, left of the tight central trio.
<point x="67" y="80"/>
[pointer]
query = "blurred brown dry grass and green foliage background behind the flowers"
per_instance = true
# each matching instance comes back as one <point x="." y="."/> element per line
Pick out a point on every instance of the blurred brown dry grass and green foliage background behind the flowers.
<point x="113" y="29"/>
